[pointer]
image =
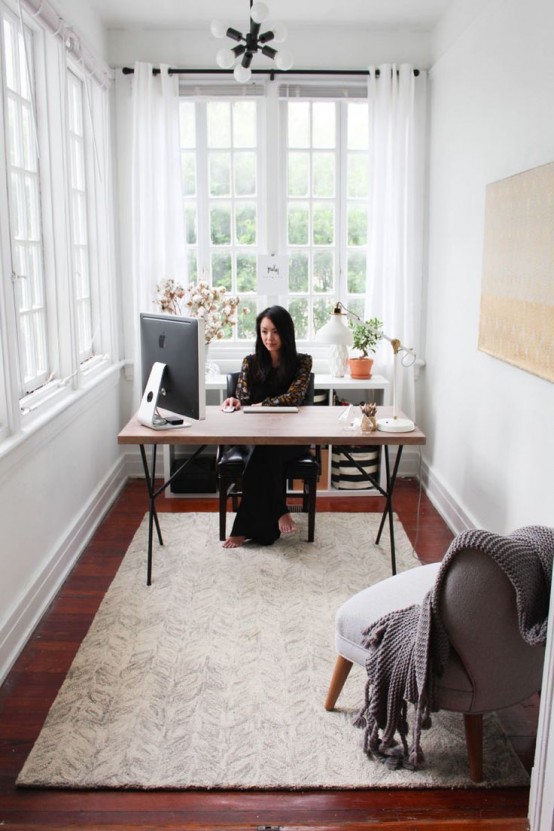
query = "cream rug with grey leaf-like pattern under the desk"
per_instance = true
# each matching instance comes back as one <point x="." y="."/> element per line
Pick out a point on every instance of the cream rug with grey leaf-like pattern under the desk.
<point x="216" y="674"/>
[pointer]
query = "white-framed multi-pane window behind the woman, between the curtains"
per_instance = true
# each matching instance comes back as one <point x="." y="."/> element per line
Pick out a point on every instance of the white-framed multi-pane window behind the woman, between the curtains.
<point x="316" y="170"/>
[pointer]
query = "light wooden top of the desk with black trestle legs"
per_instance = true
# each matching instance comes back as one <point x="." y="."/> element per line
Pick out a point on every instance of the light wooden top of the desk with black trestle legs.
<point x="311" y="425"/>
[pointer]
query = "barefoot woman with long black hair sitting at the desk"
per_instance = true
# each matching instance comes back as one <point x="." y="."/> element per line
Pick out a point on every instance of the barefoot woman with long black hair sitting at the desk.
<point x="276" y="375"/>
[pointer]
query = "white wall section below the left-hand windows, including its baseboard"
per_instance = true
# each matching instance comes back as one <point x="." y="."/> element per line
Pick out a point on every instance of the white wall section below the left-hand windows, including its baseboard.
<point x="56" y="483"/>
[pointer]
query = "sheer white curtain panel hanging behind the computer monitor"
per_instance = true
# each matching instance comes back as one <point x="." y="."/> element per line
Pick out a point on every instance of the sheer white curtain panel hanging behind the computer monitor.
<point x="157" y="224"/>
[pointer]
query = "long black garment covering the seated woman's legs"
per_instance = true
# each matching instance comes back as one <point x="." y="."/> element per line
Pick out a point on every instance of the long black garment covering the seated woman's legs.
<point x="264" y="492"/>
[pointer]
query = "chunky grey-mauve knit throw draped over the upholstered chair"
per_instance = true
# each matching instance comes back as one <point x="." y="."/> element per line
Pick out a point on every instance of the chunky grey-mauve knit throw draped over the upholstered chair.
<point x="410" y="646"/>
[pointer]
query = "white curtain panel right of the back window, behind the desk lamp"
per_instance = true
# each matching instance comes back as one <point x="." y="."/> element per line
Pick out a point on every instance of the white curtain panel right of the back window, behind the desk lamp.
<point x="394" y="268"/>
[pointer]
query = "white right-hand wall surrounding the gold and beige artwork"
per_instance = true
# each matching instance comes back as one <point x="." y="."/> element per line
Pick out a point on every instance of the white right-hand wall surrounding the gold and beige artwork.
<point x="490" y="451"/>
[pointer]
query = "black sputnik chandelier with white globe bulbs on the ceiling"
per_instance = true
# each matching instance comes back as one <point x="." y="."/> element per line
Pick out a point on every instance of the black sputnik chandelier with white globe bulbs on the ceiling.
<point x="240" y="57"/>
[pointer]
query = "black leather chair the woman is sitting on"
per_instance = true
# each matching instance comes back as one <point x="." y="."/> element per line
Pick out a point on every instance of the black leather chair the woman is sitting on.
<point x="230" y="467"/>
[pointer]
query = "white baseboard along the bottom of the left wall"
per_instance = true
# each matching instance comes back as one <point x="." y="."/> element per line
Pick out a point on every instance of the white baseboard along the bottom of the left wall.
<point x="19" y="625"/>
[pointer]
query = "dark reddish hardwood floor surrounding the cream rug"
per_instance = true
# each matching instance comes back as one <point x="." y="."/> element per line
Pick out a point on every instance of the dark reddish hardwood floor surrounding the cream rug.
<point x="37" y="675"/>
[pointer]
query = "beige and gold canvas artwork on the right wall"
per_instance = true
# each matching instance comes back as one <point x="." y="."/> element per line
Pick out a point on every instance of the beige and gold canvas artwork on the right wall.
<point x="517" y="292"/>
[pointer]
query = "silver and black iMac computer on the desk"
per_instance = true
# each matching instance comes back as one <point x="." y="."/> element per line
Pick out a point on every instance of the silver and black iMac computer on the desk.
<point x="173" y="371"/>
